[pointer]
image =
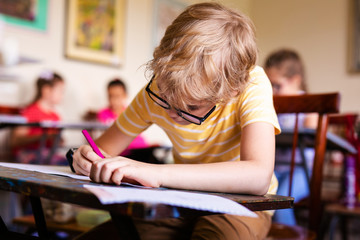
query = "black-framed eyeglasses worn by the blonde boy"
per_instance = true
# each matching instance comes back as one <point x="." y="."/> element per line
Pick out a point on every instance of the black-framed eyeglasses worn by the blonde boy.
<point x="185" y="115"/>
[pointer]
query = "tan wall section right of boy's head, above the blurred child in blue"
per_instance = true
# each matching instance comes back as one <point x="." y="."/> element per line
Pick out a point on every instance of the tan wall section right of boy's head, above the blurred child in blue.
<point x="319" y="31"/>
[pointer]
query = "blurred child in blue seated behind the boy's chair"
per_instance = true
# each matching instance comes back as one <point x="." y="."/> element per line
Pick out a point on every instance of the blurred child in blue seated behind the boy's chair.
<point x="287" y="75"/>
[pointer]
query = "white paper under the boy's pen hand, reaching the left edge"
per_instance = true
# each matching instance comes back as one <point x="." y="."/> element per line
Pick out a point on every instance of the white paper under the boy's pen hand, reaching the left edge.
<point x="49" y="169"/>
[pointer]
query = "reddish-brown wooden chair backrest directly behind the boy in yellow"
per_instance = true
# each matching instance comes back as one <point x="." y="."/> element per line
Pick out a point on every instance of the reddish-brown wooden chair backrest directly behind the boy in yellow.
<point x="322" y="104"/>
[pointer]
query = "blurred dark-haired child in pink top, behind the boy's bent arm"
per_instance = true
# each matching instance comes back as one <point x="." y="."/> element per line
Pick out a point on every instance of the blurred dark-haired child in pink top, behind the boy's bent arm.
<point x="117" y="96"/>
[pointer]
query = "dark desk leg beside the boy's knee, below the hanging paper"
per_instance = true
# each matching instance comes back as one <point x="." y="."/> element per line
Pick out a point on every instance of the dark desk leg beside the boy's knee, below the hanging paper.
<point x="126" y="226"/>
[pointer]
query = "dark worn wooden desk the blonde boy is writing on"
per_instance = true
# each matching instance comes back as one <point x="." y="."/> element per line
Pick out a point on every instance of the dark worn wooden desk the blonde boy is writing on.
<point x="65" y="189"/>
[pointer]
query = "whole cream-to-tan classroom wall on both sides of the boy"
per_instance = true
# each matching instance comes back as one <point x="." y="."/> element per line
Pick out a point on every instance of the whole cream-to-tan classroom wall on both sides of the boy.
<point x="317" y="29"/>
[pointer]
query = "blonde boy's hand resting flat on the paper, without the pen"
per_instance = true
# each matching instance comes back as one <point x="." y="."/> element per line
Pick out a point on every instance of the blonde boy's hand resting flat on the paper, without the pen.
<point x="120" y="169"/>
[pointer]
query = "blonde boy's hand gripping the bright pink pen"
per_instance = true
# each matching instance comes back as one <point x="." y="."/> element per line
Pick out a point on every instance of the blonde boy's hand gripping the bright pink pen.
<point x="83" y="159"/>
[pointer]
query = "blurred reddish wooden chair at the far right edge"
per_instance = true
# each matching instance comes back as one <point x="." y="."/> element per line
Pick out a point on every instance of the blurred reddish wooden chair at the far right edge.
<point x="342" y="210"/>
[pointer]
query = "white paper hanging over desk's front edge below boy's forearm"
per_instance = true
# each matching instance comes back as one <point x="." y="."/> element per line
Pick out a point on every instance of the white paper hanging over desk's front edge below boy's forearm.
<point x="198" y="201"/>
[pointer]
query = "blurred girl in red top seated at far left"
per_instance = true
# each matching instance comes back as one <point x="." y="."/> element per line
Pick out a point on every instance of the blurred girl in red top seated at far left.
<point x="26" y="141"/>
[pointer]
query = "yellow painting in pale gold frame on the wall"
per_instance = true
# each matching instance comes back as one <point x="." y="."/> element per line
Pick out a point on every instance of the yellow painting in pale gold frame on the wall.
<point x="95" y="31"/>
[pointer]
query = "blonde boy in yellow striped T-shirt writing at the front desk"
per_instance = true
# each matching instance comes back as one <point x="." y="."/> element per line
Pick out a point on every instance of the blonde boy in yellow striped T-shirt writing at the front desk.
<point x="216" y="107"/>
